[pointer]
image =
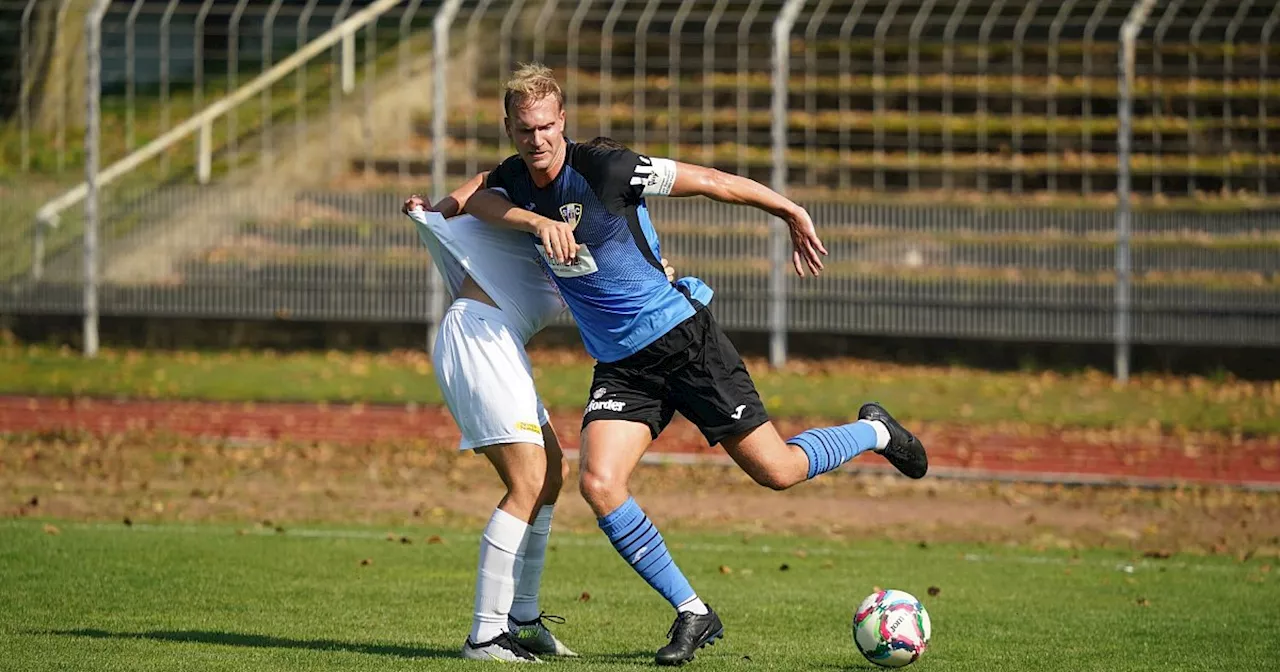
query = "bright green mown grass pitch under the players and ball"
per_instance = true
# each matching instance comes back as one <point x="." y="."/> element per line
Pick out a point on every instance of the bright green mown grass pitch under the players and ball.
<point x="173" y="597"/>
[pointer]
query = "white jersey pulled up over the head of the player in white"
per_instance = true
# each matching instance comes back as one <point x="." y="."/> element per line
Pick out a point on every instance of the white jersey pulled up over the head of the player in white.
<point x="502" y="262"/>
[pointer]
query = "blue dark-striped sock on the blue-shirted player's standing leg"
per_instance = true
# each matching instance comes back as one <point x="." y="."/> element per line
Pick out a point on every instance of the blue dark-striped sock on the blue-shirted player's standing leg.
<point x="639" y="543"/>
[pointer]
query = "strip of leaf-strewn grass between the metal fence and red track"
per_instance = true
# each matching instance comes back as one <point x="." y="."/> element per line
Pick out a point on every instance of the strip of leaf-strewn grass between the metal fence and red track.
<point x="820" y="391"/>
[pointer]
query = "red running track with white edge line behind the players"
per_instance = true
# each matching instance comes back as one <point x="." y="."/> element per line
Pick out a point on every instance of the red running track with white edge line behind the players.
<point x="954" y="450"/>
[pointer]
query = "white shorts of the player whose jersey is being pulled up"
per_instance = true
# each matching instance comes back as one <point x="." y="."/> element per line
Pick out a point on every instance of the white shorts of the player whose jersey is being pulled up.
<point x="484" y="373"/>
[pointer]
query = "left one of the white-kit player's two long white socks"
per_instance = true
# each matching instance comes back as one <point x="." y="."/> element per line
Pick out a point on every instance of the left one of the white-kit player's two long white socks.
<point x="496" y="580"/>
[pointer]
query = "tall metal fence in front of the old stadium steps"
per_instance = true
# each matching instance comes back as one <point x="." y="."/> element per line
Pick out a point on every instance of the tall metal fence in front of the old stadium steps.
<point x="971" y="164"/>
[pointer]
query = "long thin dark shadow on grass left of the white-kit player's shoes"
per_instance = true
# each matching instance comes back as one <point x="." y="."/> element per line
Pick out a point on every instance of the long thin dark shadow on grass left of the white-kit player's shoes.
<point x="263" y="642"/>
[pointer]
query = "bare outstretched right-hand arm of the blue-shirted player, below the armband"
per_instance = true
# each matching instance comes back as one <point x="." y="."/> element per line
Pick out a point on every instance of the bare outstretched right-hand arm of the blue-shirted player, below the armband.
<point x="700" y="181"/>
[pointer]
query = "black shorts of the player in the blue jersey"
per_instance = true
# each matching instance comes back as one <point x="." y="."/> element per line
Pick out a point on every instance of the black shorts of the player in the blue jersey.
<point x="693" y="369"/>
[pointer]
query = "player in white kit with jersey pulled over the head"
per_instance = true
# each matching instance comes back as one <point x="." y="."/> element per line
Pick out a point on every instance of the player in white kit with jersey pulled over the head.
<point x="501" y="299"/>
